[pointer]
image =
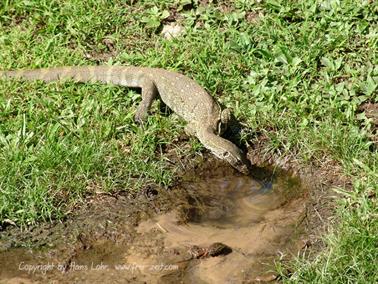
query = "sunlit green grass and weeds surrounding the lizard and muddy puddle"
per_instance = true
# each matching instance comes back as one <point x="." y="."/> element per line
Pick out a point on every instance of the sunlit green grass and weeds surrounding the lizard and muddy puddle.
<point x="296" y="73"/>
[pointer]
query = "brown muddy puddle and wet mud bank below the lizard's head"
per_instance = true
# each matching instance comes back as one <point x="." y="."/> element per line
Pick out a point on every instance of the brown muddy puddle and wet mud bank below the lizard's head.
<point x="214" y="226"/>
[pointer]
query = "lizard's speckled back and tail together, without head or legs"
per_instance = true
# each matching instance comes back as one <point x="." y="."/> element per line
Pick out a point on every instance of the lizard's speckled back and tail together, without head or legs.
<point x="180" y="93"/>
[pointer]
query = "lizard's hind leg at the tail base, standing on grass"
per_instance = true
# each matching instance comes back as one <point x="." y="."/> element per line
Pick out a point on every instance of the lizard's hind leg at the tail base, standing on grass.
<point x="149" y="93"/>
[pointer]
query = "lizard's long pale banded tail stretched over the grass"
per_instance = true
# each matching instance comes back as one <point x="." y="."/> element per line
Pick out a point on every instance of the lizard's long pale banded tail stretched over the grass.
<point x="105" y="74"/>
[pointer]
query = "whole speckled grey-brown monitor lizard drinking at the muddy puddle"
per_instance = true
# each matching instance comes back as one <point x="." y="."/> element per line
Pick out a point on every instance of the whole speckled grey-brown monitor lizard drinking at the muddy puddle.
<point x="184" y="96"/>
